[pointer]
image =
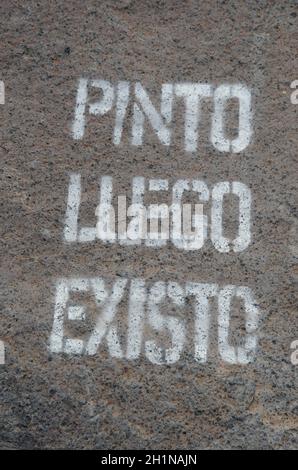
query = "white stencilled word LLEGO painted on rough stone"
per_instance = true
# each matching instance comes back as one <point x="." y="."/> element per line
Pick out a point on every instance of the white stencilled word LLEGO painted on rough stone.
<point x="175" y="223"/>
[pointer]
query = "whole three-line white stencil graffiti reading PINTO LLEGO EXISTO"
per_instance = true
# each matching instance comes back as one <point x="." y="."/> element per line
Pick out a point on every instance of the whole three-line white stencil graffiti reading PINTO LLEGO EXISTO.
<point x="152" y="329"/>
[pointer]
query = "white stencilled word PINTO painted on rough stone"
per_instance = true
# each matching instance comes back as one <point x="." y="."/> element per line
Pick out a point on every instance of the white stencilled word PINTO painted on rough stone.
<point x="193" y="94"/>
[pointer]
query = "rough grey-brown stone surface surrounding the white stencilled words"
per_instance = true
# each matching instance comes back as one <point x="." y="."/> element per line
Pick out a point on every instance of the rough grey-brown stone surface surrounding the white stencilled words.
<point x="56" y="401"/>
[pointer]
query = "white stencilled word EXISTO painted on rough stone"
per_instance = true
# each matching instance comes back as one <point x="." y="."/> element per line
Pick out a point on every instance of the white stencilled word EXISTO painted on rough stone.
<point x="145" y="310"/>
